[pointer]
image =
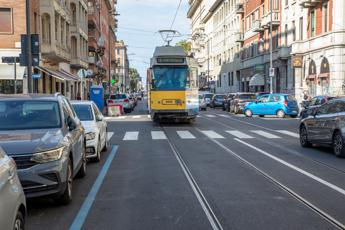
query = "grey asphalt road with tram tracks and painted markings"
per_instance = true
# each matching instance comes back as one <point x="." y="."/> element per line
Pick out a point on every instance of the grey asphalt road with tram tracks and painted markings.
<point x="222" y="172"/>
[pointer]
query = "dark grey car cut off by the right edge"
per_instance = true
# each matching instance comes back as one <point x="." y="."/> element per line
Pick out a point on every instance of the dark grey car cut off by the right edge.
<point x="325" y="127"/>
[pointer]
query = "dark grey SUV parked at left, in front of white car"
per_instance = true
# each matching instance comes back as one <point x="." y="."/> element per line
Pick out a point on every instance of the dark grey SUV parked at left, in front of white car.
<point x="47" y="141"/>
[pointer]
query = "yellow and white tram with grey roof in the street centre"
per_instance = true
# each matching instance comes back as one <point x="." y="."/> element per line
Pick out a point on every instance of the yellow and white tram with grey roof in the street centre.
<point x="172" y="85"/>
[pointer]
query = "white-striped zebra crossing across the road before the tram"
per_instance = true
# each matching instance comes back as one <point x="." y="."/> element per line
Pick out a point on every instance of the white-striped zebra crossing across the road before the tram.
<point x="212" y="134"/>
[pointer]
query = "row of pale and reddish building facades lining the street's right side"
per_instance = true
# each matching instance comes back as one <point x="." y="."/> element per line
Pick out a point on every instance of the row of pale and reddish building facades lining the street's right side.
<point x="231" y="41"/>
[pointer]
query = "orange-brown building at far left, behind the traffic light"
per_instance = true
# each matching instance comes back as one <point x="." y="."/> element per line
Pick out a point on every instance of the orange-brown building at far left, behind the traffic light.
<point x="13" y="24"/>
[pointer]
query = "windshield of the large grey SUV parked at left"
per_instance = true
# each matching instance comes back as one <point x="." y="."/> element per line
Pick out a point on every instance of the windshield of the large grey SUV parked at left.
<point x="21" y="114"/>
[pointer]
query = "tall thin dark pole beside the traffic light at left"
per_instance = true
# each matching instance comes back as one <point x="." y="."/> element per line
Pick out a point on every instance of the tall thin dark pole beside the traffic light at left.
<point x="28" y="46"/>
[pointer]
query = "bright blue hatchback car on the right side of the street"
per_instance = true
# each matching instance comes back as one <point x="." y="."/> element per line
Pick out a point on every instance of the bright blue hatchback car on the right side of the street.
<point x="273" y="104"/>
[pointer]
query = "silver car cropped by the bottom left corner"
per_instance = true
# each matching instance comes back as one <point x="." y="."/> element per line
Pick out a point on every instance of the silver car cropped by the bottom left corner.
<point x="13" y="204"/>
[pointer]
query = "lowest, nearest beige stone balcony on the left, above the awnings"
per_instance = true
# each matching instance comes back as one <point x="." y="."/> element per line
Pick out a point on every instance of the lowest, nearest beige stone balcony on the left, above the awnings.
<point x="55" y="52"/>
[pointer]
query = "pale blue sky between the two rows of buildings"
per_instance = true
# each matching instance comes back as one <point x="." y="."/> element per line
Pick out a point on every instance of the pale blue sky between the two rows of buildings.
<point x="138" y="26"/>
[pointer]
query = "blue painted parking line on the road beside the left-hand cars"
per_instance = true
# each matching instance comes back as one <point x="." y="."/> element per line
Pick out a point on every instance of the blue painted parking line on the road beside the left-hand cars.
<point x="85" y="208"/>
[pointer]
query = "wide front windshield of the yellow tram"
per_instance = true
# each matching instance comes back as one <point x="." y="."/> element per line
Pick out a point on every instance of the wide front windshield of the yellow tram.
<point x="170" y="78"/>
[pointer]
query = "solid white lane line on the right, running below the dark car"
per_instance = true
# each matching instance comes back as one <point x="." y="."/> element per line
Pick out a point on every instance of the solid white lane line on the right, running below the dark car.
<point x="312" y="176"/>
